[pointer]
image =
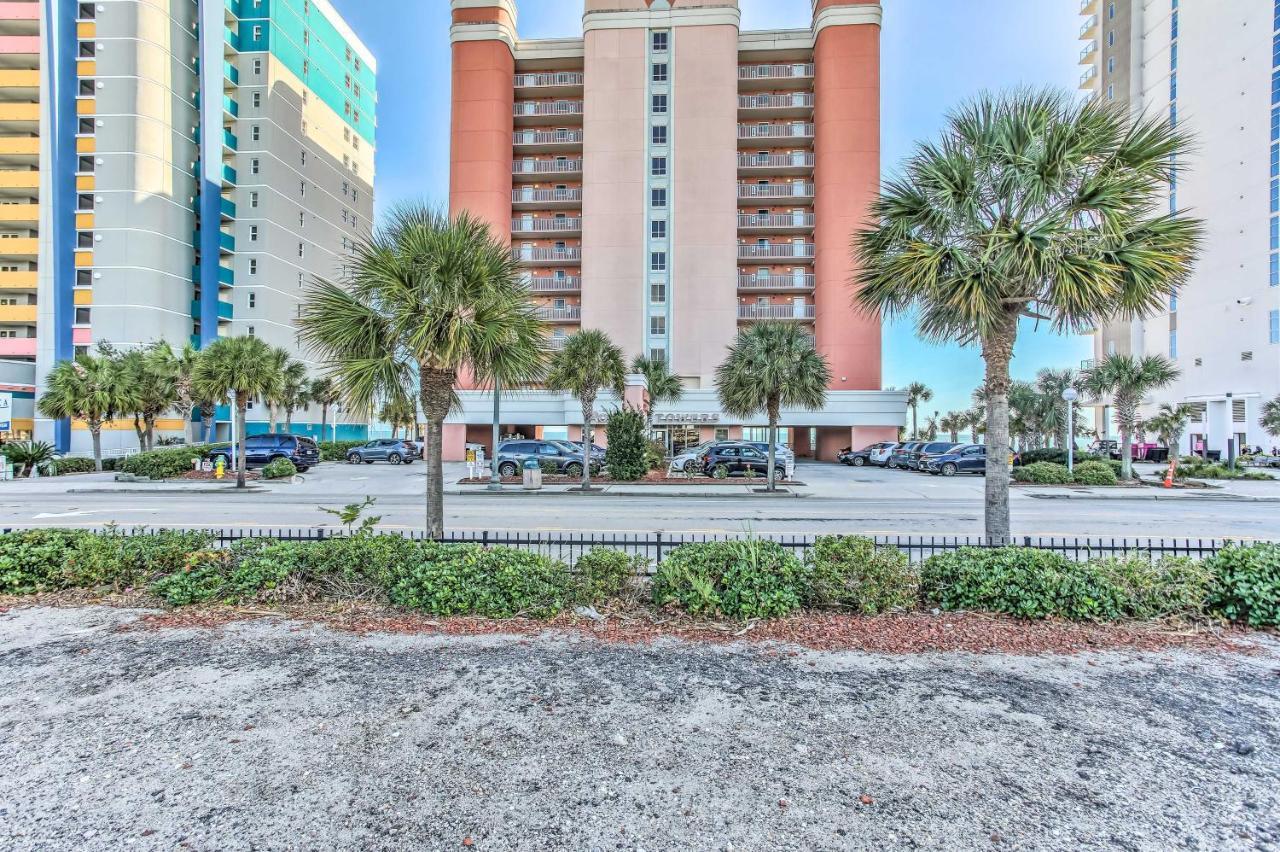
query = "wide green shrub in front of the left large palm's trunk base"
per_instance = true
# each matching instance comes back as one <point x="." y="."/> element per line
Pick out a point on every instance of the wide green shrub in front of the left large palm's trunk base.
<point x="470" y="580"/>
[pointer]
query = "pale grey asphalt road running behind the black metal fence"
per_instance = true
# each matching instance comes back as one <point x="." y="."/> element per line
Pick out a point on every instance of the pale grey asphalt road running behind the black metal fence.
<point x="842" y="501"/>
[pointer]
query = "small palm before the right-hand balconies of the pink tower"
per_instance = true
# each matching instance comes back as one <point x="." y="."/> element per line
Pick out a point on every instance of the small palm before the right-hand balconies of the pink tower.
<point x="769" y="367"/>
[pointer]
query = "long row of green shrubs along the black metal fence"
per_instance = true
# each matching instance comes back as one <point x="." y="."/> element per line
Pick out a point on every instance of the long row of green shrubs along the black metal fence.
<point x="748" y="581"/>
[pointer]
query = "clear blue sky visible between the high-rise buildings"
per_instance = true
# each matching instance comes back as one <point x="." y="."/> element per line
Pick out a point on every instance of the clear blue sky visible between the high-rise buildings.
<point x="936" y="54"/>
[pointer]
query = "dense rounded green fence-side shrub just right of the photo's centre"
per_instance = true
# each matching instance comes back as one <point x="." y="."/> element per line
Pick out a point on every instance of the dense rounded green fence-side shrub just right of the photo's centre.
<point x="748" y="579"/>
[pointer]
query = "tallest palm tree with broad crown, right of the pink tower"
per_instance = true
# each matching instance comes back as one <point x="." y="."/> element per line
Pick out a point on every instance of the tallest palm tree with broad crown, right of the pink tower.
<point x="1031" y="205"/>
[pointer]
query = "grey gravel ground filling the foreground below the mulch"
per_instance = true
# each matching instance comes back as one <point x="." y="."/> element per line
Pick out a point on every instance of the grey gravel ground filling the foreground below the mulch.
<point x="286" y="735"/>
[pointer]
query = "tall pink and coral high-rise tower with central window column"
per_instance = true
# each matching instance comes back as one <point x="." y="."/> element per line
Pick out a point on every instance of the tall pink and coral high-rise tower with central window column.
<point x="670" y="180"/>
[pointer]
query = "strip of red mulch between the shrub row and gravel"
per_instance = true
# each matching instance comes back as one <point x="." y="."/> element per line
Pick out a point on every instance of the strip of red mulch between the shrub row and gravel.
<point x="902" y="634"/>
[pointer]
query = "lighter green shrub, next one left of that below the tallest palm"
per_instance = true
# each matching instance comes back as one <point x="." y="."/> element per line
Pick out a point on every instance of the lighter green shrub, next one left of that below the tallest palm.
<point x="849" y="572"/>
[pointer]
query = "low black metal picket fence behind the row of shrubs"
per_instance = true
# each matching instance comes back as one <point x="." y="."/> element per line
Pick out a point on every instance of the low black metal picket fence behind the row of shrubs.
<point x="655" y="547"/>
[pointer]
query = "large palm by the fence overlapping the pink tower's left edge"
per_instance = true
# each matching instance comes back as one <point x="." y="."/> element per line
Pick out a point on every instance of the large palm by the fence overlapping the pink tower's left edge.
<point x="427" y="299"/>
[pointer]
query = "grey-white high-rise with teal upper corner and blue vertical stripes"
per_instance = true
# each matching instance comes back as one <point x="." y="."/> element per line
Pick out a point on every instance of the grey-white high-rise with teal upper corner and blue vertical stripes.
<point x="203" y="161"/>
